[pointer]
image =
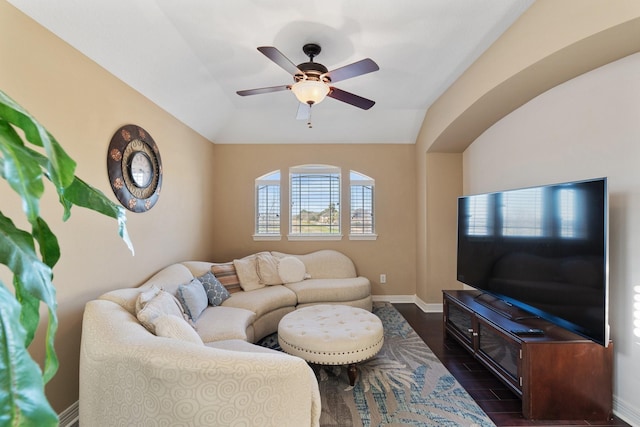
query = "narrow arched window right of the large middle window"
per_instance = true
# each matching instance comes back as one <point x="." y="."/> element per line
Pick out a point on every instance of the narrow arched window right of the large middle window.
<point x="362" y="224"/>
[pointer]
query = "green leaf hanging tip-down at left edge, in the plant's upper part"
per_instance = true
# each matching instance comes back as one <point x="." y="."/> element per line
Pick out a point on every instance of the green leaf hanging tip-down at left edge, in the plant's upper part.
<point x="20" y="170"/>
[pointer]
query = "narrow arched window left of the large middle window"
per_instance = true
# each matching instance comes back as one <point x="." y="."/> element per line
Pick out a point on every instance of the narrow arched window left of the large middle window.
<point x="268" y="205"/>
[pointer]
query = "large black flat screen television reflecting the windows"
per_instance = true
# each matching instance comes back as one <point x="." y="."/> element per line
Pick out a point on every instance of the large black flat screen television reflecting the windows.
<point x="542" y="249"/>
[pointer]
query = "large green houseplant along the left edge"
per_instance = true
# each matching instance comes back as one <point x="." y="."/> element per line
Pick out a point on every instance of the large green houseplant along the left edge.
<point x="28" y="155"/>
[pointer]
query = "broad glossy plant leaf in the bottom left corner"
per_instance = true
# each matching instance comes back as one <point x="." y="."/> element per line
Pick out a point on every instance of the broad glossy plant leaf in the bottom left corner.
<point x="23" y="401"/>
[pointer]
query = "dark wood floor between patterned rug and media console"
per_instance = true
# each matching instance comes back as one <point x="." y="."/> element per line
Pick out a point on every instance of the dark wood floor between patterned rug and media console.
<point x="500" y="404"/>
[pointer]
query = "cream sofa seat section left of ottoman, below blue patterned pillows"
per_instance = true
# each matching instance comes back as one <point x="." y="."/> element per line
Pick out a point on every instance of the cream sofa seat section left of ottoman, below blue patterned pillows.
<point x="224" y="323"/>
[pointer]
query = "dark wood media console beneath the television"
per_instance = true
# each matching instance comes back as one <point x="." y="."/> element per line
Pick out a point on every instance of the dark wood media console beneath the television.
<point x="558" y="375"/>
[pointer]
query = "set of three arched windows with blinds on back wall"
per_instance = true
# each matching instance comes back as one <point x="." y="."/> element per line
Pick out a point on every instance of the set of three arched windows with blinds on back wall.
<point x="315" y="200"/>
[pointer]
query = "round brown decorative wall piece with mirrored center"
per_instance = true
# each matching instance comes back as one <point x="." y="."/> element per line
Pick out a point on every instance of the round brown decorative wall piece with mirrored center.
<point x="135" y="168"/>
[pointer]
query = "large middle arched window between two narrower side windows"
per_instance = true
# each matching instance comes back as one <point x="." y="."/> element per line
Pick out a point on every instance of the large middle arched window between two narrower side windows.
<point x="315" y="201"/>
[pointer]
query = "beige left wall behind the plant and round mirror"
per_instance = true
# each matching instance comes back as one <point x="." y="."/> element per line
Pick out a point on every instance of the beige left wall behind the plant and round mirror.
<point x="82" y="106"/>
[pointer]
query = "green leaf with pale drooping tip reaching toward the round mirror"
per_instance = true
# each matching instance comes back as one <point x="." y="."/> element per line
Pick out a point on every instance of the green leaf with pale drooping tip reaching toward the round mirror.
<point x="82" y="194"/>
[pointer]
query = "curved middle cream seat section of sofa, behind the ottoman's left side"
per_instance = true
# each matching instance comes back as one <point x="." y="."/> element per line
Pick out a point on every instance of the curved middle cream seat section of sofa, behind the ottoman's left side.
<point x="262" y="301"/>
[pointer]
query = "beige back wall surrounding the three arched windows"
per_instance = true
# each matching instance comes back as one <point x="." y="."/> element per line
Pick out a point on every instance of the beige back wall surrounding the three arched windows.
<point x="391" y="165"/>
